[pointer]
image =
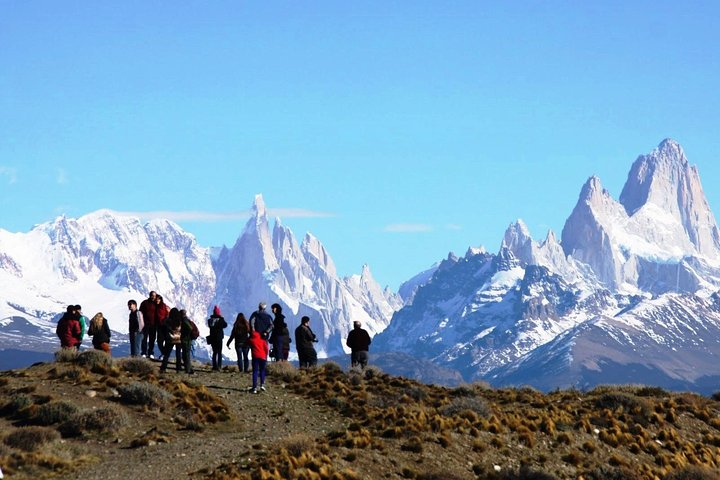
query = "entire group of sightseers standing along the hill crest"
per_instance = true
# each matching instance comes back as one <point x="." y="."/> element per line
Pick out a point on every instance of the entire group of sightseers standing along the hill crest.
<point x="257" y="339"/>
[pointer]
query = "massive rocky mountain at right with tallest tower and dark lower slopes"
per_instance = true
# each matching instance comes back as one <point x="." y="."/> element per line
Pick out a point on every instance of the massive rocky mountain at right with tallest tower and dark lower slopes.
<point x="625" y="297"/>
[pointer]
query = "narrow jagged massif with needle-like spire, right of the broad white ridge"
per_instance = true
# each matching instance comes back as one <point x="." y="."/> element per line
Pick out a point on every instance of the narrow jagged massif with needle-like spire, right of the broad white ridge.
<point x="303" y="279"/>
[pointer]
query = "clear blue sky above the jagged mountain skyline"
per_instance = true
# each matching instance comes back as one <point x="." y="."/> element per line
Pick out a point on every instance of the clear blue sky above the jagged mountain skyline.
<point x="420" y="127"/>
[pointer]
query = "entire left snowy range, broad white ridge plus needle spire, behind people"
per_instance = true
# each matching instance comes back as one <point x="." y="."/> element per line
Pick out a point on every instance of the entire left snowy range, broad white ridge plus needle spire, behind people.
<point x="102" y="260"/>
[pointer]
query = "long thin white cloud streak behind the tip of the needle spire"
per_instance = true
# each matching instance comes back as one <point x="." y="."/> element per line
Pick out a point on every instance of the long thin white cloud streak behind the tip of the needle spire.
<point x="202" y="216"/>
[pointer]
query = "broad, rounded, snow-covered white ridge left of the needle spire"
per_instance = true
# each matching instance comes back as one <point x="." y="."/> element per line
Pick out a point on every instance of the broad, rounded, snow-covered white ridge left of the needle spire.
<point x="100" y="261"/>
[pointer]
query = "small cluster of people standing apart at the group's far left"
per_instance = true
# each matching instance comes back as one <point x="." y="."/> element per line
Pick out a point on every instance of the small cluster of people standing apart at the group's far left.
<point x="73" y="326"/>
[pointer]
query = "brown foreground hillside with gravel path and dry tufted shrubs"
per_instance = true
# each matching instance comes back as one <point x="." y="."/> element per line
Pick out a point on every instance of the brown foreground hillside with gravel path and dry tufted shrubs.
<point x="87" y="417"/>
